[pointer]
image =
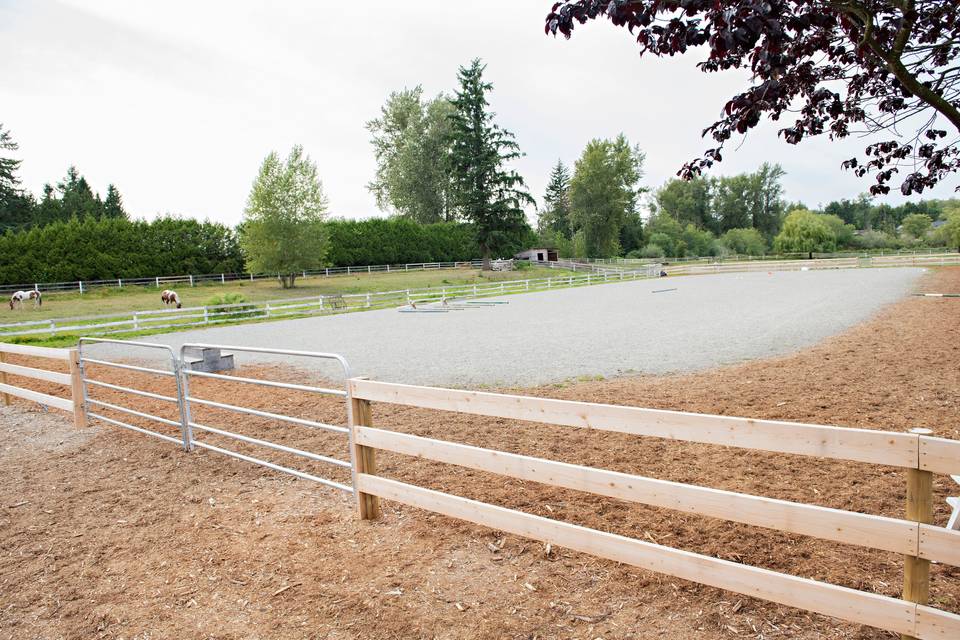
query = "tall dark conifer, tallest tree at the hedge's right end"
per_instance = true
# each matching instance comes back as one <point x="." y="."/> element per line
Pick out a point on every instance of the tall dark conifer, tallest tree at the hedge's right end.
<point x="488" y="194"/>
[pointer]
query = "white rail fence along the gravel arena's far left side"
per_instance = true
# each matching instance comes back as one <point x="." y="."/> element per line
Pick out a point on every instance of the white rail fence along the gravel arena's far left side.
<point x="311" y="305"/>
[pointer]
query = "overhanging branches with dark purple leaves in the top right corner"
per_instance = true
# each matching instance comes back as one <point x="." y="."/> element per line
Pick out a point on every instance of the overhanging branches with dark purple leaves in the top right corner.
<point x="842" y="66"/>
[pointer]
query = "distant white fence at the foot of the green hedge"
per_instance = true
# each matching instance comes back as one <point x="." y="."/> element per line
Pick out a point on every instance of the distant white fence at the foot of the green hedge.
<point x="194" y="280"/>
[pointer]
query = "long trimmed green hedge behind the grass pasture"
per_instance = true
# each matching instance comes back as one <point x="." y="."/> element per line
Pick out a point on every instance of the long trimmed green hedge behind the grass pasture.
<point x="93" y="249"/>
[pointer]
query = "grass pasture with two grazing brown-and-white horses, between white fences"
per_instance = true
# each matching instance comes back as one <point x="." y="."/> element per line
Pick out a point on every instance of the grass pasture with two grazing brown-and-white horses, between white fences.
<point x="114" y="300"/>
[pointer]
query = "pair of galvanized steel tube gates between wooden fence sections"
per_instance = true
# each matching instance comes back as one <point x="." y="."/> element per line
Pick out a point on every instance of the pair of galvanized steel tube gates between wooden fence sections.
<point x="183" y="400"/>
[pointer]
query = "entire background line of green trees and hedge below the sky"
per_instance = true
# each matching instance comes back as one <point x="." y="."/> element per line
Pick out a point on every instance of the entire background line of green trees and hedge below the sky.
<point x="444" y="170"/>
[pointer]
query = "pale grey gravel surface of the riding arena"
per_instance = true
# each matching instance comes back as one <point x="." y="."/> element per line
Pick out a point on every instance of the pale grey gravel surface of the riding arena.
<point x="608" y="330"/>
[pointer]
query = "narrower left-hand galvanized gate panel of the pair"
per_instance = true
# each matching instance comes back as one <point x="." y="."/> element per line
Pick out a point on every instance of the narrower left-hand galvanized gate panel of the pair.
<point x="173" y="373"/>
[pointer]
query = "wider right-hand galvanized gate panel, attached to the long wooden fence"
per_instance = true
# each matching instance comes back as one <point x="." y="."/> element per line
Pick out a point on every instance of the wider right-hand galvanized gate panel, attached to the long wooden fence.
<point x="190" y="425"/>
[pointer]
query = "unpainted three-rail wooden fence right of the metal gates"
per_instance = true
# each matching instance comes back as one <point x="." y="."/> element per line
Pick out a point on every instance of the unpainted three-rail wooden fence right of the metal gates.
<point x="915" y="537"/>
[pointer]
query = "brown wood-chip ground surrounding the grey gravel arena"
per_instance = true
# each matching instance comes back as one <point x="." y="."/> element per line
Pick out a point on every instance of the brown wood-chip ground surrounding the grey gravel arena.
<point x="105" y="533"/>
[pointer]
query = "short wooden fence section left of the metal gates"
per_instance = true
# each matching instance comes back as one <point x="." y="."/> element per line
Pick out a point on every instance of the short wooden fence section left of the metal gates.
<point x="73" y="404"/>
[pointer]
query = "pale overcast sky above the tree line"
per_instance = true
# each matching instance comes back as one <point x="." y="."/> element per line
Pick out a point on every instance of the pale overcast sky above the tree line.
<point x="177" y="102"/>
